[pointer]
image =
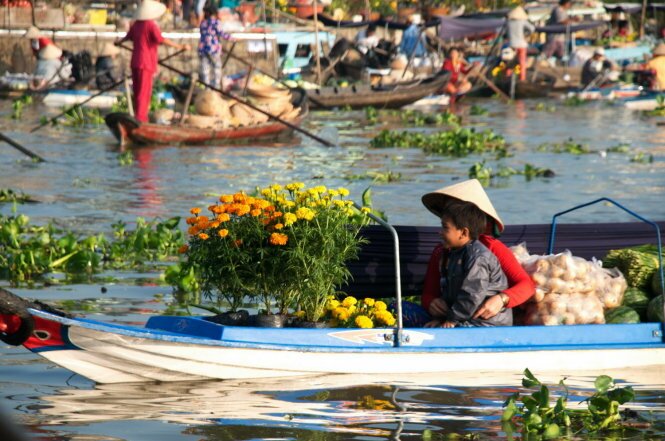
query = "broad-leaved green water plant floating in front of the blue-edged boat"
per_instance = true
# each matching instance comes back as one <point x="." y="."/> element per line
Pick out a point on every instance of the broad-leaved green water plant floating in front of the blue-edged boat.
<point x="535" y="417"/>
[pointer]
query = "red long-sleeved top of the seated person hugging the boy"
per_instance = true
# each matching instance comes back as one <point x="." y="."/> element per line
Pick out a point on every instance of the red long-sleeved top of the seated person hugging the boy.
<point x="520" y="286"/>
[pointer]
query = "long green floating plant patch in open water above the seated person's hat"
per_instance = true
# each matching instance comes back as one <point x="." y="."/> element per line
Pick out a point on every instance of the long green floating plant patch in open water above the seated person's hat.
<point x="458" y="141"/>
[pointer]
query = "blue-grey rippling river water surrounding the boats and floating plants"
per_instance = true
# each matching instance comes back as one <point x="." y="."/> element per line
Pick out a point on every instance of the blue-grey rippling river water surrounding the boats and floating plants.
<point x="86" y="185"/>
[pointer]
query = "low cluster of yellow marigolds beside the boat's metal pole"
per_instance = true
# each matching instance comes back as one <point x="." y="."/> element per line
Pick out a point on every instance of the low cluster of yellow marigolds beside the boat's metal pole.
<point x="354" y="313"/>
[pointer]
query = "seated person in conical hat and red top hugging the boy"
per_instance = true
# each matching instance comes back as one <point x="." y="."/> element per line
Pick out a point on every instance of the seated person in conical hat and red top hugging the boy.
<point x="520" y="286"/>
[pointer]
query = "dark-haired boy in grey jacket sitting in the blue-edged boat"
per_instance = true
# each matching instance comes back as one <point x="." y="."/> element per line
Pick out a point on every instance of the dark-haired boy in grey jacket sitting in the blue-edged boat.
<point x="470" y="272"/>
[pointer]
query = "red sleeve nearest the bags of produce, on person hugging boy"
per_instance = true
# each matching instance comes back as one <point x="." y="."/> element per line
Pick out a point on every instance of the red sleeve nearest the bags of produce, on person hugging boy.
<point x="520" y="286"/>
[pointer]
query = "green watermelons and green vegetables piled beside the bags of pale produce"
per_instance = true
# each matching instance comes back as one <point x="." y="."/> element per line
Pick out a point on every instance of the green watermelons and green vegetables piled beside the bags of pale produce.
<point x="644" y="297"/>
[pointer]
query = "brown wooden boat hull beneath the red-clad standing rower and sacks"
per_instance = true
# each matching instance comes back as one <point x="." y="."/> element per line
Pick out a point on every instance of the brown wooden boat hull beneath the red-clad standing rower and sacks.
<point x="128" y="131"/>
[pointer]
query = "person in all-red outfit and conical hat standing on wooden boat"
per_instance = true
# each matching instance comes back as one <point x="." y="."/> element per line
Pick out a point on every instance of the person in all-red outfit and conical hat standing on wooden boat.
<point x="146" y="36"/>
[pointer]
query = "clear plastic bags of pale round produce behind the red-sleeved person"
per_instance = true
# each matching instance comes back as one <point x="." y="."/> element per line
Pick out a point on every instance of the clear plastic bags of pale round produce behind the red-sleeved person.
<point x="569" y="290"/>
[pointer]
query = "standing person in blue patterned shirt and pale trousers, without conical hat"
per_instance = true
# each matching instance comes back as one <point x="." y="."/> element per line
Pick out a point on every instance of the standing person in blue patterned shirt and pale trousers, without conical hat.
<point x="210" y="47"/>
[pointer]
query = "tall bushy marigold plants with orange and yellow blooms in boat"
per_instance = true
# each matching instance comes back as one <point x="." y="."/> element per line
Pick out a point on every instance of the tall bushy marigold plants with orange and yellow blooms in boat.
<point x="286" y="246"/>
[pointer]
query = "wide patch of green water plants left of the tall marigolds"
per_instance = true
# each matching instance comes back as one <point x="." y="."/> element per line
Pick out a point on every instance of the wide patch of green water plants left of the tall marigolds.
<point x="29" y="252"/>
